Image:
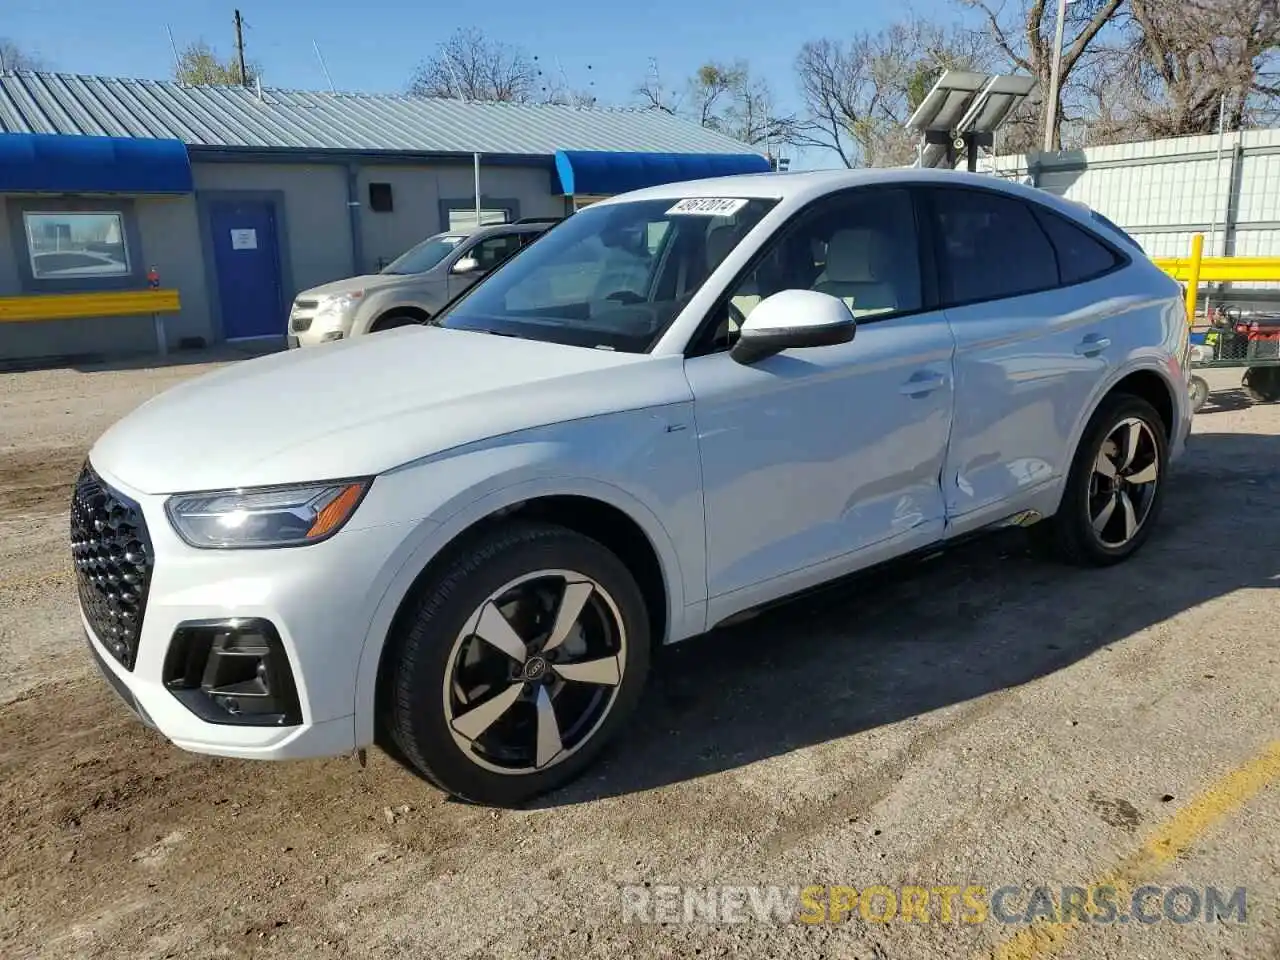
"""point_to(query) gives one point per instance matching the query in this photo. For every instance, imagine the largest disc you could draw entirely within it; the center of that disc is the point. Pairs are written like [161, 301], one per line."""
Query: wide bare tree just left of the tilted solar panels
[860, 94]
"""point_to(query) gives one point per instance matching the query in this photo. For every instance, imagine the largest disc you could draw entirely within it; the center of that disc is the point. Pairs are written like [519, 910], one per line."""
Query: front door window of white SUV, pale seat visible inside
[860, 248]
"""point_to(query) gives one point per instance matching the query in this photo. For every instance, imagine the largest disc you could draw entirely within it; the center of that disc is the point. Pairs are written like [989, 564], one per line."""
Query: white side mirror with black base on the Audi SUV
[793, 319]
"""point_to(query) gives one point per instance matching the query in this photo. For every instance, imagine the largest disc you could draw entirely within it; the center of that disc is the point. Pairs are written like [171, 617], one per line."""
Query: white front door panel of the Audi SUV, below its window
[797, 477]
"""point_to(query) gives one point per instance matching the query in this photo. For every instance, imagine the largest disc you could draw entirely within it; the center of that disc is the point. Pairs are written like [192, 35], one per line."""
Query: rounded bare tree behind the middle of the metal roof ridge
[470, 66]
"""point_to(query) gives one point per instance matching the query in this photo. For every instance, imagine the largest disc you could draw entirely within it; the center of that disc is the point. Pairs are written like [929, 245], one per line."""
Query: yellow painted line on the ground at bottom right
[1169, 842]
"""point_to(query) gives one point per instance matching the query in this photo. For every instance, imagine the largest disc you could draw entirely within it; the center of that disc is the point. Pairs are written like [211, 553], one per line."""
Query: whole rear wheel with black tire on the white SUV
[1071, 534]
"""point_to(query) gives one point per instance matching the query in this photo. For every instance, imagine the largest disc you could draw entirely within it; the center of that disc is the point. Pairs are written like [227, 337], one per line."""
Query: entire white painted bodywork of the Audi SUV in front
[749, 482]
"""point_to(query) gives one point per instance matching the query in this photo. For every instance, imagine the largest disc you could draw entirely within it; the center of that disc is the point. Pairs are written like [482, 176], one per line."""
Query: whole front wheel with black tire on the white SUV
[438, 659]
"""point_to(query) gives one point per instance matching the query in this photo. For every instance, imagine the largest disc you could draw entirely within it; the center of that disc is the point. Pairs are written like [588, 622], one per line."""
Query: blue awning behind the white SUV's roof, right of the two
[607, 173]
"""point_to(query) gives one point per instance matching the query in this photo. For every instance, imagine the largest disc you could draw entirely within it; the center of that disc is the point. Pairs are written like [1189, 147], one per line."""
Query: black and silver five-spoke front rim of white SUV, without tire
[536, 671]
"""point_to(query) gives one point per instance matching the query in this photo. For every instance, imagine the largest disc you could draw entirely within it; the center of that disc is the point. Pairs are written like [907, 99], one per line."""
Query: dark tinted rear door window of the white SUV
[990, 248]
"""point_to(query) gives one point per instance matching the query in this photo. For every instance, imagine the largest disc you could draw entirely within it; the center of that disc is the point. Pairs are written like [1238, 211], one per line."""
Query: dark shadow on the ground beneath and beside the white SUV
[915, 638]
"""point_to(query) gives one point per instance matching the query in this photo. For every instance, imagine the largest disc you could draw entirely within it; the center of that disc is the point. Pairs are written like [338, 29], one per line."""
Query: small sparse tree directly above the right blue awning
[724, 98]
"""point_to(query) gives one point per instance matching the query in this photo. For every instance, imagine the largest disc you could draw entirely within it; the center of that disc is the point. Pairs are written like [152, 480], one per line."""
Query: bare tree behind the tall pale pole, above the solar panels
[1025, 36]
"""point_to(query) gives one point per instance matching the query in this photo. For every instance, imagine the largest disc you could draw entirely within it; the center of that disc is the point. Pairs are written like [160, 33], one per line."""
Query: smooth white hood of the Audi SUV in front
[364, 406]
